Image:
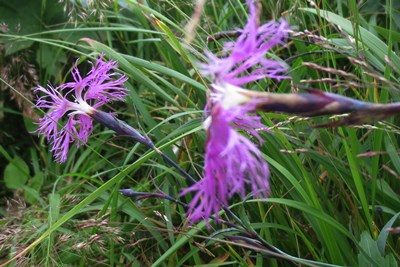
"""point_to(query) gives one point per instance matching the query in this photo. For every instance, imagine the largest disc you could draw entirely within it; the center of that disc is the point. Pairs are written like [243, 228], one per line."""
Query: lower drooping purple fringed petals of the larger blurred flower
[232, 161]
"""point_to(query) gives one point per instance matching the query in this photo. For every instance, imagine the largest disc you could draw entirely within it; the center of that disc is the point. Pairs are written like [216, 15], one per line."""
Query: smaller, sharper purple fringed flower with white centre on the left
[80, 100]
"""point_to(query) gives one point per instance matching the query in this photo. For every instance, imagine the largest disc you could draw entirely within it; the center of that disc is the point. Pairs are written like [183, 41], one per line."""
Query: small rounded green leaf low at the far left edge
[16, 173]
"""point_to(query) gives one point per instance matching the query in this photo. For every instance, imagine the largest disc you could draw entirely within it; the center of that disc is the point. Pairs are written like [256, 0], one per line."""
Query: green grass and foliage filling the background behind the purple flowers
[335, 191]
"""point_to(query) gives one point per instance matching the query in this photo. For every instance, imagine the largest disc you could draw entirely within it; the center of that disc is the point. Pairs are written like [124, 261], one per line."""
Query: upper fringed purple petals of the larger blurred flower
[247, 52]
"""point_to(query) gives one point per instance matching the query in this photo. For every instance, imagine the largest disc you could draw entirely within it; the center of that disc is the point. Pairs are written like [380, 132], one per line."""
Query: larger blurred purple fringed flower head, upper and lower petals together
[232, 161]
